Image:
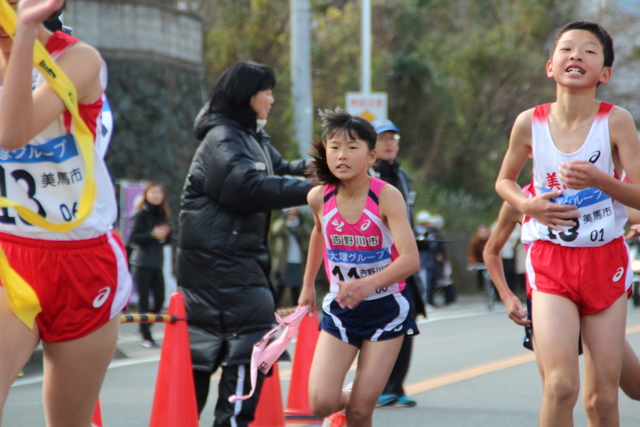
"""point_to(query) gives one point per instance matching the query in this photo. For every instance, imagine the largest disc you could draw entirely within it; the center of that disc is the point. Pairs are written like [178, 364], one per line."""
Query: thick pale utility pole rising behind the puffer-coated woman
[301, 73]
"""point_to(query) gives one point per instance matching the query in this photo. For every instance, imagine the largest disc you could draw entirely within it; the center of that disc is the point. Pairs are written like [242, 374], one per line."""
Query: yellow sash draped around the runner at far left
[22, 299]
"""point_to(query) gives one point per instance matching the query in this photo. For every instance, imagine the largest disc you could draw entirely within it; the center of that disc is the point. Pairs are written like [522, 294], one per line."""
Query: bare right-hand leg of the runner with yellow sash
[73, 375]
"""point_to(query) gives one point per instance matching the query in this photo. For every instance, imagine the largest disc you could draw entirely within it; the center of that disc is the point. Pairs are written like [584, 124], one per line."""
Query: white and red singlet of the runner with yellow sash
[47, 174]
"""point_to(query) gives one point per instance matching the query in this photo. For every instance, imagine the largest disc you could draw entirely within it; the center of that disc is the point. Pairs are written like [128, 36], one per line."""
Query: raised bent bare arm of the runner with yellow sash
[25, 113]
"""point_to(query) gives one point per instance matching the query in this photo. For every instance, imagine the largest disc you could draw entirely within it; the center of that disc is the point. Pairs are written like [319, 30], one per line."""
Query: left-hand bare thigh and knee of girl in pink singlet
[331, 362]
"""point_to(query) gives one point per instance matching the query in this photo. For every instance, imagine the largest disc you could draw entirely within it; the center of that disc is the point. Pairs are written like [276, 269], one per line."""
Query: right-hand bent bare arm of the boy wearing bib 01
[626, 153]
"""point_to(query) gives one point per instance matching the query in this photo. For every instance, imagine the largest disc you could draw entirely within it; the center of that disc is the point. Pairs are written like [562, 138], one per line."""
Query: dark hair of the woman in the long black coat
[232, 93]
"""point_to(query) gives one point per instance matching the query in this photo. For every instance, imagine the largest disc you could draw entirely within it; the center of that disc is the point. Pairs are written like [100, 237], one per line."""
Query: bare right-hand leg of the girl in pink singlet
[375, 363]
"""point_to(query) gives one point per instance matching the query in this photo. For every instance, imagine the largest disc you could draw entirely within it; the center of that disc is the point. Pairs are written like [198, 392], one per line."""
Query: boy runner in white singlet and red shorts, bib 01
[580, 148]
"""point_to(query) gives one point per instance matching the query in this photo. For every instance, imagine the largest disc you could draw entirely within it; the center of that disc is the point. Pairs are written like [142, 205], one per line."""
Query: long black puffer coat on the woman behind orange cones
[223, 260]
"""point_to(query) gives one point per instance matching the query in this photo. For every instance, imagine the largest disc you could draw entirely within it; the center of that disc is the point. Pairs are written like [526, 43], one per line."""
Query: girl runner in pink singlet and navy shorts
[362, 232]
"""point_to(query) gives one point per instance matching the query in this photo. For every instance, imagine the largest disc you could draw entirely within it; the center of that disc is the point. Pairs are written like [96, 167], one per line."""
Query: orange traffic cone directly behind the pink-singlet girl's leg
[298, 407]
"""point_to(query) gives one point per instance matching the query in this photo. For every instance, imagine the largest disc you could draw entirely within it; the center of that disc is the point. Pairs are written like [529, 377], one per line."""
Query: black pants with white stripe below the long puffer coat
[232, 377]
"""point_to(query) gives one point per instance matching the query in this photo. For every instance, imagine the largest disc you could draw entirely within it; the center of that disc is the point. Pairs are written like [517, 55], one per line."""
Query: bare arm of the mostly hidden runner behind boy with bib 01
[507, 220]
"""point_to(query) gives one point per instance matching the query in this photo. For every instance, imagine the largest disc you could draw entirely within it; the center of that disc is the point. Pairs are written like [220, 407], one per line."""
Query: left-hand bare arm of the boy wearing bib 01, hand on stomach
[539, 207]
